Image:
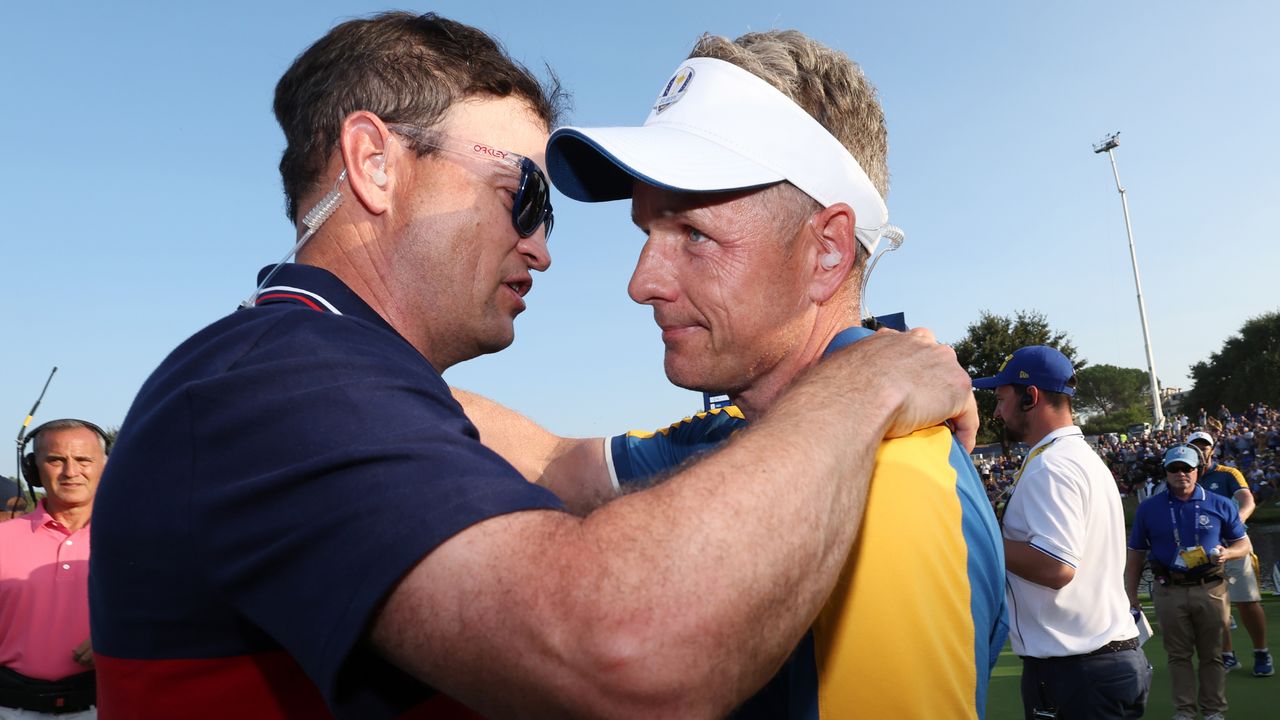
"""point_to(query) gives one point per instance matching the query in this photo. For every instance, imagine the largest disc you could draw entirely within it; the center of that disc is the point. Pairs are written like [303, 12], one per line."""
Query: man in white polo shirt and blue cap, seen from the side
[1064, 553]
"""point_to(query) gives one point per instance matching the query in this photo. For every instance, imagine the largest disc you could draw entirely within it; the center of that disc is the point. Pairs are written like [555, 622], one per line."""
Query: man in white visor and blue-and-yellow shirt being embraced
[758, 180]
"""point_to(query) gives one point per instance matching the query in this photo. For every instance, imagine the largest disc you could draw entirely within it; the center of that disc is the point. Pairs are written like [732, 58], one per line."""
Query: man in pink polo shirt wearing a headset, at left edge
[47, 663]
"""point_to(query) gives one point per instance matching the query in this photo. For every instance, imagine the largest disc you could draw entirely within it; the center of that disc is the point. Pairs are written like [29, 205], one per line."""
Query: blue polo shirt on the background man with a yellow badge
[1204, 520]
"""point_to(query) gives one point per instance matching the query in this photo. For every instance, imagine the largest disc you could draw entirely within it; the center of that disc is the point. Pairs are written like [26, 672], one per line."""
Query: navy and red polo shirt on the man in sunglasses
[275, 480]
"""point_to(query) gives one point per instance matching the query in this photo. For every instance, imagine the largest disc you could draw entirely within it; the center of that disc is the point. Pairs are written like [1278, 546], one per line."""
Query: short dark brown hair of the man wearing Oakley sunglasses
[405, 69]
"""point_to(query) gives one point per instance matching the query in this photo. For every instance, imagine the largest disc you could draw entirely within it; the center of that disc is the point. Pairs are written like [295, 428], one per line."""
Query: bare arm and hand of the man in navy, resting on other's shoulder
[678, 601]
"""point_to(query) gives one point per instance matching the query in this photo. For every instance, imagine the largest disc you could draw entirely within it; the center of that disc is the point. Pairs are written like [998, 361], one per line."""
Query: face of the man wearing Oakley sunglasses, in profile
[458, 268]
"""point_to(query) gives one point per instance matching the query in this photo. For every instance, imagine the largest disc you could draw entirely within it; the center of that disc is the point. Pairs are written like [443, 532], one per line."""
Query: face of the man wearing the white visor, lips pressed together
[726, 290]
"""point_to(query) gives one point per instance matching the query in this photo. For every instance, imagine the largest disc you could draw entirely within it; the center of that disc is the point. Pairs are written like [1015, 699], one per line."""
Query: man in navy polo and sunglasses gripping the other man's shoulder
[300, 521]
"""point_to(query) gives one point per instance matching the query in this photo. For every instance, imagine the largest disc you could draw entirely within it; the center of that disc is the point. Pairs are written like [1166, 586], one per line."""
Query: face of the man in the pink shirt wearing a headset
[70, 463]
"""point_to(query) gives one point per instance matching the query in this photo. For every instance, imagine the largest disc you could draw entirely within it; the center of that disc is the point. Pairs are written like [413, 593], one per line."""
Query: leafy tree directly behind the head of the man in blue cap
[991, 340]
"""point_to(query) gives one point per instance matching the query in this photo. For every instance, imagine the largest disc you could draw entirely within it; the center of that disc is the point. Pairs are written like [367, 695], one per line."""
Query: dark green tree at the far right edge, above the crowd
[1247, 368]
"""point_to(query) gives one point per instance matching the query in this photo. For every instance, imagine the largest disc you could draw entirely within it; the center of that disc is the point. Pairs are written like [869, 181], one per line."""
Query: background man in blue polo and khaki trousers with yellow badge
[1191, 535]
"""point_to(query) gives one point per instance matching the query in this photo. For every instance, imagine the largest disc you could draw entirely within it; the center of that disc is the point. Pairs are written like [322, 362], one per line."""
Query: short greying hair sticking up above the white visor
[825, 83]
